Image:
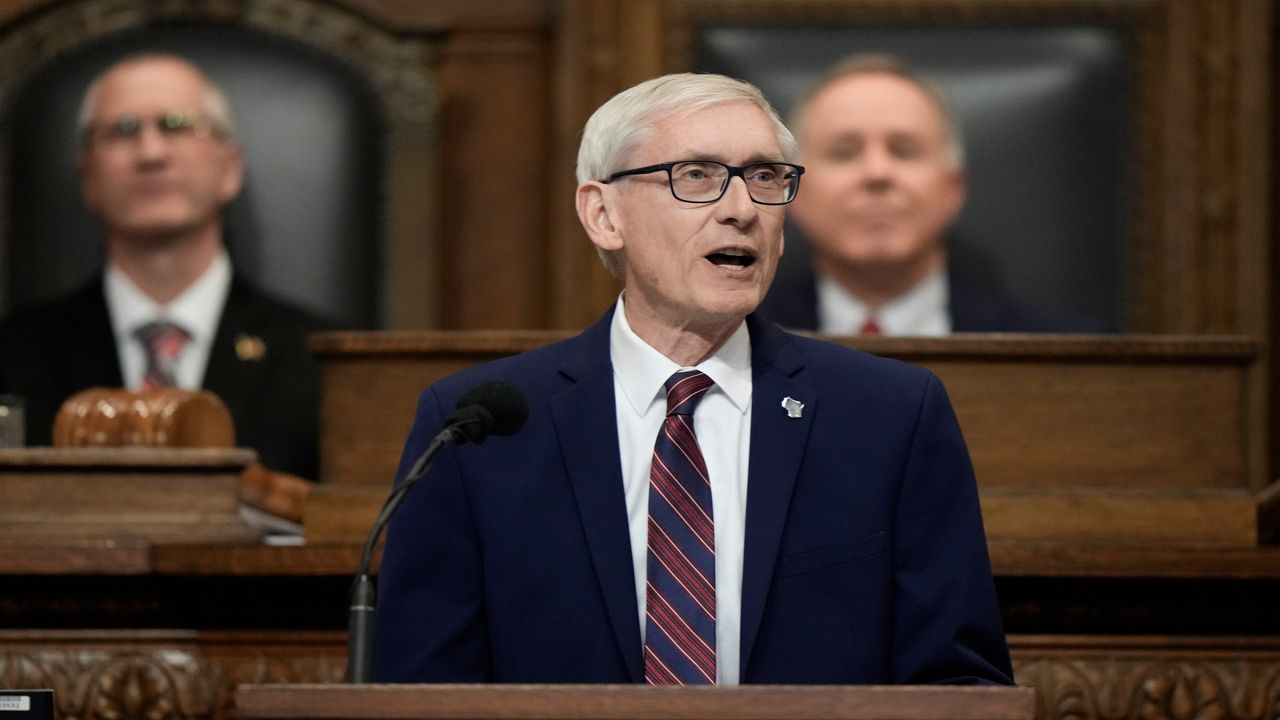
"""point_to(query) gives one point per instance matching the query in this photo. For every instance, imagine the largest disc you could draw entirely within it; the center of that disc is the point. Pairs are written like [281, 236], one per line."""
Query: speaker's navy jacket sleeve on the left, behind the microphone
[431, 623]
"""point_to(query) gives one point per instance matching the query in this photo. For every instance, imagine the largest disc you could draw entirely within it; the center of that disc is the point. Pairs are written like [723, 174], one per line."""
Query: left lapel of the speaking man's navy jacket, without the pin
[587, 425]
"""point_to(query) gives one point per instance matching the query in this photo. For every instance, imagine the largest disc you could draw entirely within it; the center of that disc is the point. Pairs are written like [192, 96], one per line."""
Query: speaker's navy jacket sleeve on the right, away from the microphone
[947, 619]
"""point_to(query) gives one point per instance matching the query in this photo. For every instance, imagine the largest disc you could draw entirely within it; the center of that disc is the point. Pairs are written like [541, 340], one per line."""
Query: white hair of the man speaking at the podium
[630, 119]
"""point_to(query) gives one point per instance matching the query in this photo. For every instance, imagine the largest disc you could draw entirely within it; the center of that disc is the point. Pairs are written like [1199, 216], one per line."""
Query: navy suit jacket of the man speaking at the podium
[865, 560]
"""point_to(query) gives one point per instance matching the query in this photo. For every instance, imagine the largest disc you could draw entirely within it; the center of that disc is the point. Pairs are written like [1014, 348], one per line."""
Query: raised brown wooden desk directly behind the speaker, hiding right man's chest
[1092, 440]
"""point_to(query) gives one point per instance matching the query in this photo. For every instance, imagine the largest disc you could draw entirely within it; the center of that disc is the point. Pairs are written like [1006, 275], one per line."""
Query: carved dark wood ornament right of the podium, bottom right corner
[1204, 689]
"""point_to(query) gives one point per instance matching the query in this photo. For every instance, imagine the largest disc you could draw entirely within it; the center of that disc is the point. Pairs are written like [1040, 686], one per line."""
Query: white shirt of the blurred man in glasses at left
[198, 311]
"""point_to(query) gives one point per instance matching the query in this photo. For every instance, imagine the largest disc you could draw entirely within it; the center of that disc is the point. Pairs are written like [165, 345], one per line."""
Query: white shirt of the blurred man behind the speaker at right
[921, 312]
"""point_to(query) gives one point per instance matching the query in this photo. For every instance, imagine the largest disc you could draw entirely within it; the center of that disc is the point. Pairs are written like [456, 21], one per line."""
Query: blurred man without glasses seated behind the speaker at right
[885, 183]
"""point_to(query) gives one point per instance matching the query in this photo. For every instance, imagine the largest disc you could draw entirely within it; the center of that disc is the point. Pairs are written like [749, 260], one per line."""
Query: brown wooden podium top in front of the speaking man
[634, 703]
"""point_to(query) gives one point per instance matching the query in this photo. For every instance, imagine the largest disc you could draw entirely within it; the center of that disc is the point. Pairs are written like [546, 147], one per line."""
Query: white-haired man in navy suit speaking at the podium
[844, 512]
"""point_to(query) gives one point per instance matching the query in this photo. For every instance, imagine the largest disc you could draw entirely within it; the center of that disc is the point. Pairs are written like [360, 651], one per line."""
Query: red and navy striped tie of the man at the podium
[680, 608]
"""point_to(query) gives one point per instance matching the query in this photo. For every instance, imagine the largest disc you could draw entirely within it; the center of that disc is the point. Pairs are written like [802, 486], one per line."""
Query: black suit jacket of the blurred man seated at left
[61, 348]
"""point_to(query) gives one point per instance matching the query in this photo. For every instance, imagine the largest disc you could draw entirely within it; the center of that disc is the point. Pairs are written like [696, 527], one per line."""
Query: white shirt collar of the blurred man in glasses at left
[198, 309]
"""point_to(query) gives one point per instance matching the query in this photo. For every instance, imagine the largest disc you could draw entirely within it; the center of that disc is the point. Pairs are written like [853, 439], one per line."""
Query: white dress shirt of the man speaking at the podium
[723, 423]
